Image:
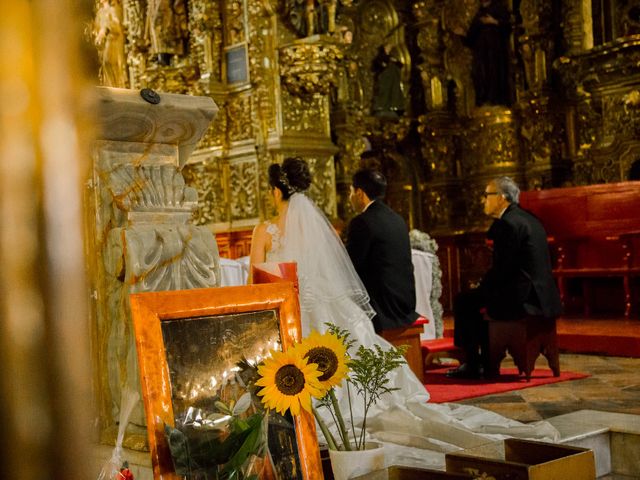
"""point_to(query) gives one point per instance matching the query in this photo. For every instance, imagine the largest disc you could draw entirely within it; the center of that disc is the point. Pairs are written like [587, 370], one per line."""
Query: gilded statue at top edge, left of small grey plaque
[166, 29]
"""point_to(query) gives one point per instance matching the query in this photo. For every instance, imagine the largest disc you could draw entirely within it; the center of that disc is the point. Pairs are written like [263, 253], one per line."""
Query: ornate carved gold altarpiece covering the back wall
[296, 78]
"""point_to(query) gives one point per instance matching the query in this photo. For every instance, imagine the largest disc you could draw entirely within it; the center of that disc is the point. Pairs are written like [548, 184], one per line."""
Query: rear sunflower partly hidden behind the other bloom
[329, 353]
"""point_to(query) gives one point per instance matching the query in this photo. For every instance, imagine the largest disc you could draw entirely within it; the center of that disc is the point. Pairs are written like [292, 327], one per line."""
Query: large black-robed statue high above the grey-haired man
[488, 39]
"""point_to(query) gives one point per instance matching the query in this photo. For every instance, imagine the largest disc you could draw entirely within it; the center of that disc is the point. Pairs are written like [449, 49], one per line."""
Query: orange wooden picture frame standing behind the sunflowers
[235, 309]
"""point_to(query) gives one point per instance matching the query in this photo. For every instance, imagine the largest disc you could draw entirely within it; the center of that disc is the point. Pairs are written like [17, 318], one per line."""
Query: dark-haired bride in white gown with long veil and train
[331, 291]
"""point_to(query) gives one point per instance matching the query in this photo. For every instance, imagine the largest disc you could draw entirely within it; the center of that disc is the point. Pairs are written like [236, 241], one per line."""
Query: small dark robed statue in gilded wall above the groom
[388, 96]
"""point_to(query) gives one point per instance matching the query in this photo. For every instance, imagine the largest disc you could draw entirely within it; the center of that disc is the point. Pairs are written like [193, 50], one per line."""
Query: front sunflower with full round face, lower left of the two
[288, 382]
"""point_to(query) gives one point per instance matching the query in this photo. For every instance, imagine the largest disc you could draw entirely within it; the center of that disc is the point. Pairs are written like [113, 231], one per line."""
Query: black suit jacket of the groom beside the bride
[378, 244]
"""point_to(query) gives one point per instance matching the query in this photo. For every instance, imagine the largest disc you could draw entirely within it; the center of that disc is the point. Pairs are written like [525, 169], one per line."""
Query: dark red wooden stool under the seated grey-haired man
[525, 339]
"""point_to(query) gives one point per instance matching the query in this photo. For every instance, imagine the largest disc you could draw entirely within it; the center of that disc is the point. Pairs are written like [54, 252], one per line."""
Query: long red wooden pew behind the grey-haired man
[594, 232]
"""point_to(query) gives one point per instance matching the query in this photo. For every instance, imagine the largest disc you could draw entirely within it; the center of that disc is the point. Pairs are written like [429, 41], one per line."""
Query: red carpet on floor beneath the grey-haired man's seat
[443, 389]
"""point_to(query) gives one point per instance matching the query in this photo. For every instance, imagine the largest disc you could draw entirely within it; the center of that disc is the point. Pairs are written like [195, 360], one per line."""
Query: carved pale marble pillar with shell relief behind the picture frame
[141, 238]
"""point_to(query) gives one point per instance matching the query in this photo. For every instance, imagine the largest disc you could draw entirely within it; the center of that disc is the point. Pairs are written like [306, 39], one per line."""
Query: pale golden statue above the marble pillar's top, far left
[109, 39]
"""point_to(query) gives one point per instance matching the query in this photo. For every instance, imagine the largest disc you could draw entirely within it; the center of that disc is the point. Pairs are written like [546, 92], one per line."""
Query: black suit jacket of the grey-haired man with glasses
[520, 280]
